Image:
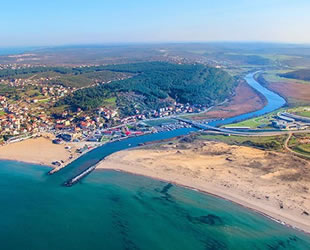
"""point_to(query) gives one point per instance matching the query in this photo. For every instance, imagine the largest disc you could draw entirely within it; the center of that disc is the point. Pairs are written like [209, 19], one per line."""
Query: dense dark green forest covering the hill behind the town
[156, 84]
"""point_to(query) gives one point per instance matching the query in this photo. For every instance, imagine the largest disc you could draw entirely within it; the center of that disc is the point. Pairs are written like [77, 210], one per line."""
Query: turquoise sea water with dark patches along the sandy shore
[112, 210]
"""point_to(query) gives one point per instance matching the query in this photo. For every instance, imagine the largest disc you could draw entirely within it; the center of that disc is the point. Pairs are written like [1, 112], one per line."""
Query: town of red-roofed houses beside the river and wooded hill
[27, 110]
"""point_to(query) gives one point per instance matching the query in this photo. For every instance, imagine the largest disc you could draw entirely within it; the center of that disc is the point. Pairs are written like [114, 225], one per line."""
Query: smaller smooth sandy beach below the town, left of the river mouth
[38, 151]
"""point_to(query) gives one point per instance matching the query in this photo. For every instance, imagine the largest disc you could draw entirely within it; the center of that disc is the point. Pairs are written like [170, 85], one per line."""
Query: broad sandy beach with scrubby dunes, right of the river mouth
[274, 184]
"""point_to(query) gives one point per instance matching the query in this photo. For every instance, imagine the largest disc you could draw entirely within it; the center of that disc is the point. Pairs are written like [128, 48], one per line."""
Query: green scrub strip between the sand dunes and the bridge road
[261, 142]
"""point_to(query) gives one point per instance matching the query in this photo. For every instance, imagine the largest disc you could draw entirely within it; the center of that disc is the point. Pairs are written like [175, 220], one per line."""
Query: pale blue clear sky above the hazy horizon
[66, 22]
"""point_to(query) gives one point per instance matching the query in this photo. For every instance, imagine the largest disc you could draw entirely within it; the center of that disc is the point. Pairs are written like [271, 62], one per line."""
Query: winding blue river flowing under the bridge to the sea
[68, 175]
